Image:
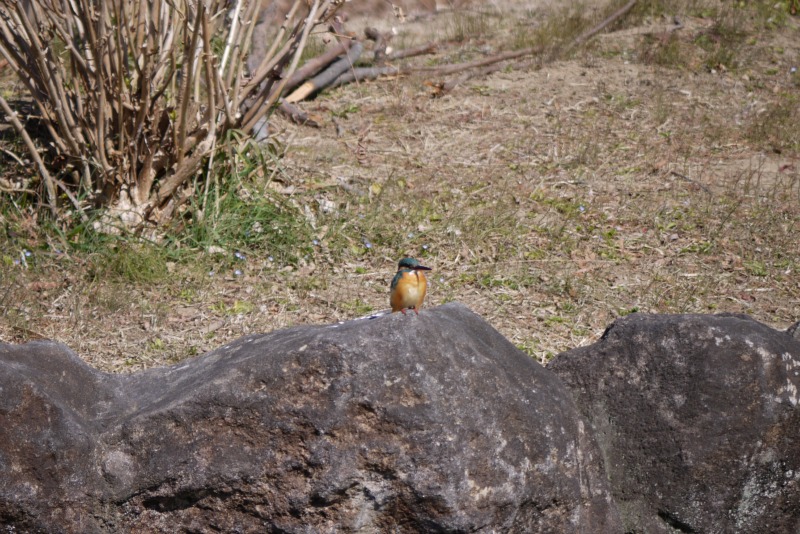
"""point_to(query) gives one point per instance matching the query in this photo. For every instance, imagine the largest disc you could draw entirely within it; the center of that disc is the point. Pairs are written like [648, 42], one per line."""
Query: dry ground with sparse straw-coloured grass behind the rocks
[550, 197]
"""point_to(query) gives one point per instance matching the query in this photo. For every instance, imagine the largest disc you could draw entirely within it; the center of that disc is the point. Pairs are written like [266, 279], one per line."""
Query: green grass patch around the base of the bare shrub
[235, 212]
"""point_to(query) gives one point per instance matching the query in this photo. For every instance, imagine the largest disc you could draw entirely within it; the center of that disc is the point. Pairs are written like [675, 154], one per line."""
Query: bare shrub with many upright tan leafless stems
[132, 96]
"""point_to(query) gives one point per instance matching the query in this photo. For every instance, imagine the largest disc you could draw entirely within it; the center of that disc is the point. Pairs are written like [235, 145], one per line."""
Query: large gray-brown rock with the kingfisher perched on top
[429, 423]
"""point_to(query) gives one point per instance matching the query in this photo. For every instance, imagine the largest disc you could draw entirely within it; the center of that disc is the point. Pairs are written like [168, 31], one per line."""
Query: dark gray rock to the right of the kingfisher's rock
[698, 421]
